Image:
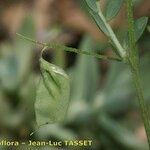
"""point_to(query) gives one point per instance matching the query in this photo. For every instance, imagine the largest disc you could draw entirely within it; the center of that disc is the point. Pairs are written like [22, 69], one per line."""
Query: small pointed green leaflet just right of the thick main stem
[140, 25]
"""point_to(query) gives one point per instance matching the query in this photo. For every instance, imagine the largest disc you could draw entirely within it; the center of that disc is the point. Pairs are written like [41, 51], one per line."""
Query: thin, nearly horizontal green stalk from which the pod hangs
[70, 49]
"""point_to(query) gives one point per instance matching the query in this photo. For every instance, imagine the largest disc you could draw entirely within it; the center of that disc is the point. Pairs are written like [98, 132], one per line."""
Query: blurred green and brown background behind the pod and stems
[103, 106]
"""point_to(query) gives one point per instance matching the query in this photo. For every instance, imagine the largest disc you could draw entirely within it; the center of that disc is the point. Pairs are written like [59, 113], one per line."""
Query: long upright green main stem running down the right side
[134, 67]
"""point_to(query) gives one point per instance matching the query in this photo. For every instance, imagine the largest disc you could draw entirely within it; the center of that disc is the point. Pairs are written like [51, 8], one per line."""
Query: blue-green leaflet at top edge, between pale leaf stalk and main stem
[112, 8]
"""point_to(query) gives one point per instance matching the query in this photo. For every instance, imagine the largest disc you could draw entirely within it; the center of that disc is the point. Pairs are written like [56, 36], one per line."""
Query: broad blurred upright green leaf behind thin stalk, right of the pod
[87, 68]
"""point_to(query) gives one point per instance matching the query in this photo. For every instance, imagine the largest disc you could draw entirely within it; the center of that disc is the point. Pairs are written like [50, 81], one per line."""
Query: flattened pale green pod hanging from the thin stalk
[52, 97]
